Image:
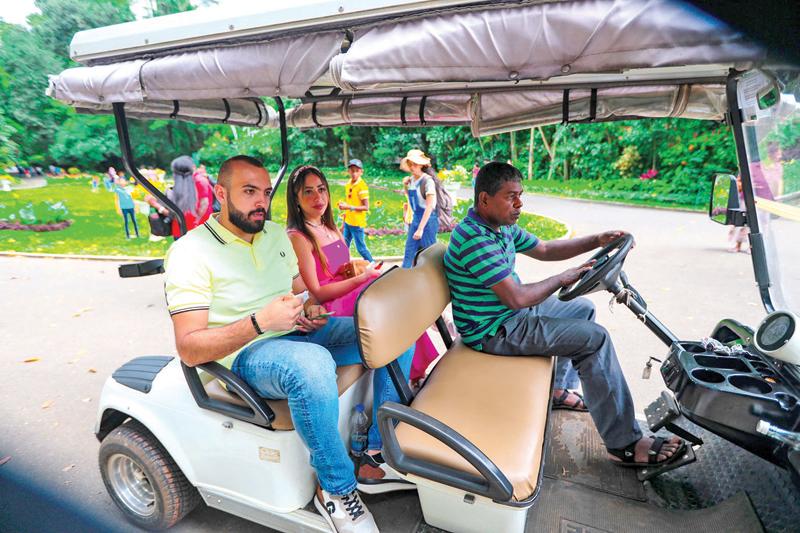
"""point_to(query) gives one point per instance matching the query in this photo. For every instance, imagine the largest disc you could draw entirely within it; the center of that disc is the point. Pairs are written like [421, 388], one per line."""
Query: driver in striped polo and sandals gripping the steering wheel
[497, 314]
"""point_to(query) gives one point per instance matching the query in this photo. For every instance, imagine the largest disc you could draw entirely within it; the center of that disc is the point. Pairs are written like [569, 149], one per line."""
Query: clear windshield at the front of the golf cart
[773, 153]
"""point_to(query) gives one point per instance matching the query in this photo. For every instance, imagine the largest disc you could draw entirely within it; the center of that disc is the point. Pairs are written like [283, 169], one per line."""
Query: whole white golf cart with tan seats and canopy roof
[172, 435]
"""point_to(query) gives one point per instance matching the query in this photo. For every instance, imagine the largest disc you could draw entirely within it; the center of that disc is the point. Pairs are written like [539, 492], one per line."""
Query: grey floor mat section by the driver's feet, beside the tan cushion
[576, 453]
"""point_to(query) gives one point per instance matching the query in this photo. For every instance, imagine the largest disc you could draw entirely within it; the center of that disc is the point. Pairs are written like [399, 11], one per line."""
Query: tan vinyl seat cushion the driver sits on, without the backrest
[498, 403]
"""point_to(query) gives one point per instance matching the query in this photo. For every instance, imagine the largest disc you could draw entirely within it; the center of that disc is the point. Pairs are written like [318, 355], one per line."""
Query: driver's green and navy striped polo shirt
[477, 258]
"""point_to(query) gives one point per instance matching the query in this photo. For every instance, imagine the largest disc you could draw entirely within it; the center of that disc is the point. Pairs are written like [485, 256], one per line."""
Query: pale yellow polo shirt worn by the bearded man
[212, 269]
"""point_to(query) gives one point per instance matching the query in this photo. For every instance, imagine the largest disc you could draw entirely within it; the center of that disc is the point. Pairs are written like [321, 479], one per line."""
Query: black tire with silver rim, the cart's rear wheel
[143, 480]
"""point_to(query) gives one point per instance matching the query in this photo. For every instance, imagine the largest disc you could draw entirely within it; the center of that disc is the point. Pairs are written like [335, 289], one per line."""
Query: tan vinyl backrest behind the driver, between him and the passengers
[398, 307]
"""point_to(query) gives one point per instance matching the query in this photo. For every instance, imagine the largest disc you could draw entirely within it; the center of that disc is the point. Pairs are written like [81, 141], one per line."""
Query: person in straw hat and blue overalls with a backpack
[421, 192]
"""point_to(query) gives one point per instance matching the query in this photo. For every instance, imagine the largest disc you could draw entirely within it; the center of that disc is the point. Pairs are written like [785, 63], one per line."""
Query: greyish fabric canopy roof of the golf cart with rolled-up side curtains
[494, 66]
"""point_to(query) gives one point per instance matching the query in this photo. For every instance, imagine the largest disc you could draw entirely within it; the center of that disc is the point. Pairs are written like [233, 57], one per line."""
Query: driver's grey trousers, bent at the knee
[567, 330]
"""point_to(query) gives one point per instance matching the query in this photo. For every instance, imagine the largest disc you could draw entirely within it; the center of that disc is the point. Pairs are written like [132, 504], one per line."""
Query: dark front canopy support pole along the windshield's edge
[757, 248]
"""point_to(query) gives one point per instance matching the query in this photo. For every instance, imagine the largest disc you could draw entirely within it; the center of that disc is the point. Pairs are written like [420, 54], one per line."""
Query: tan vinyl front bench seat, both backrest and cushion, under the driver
[499, 404]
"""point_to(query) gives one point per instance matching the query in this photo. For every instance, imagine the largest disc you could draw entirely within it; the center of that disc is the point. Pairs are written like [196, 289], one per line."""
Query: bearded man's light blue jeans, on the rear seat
[302, 369]
